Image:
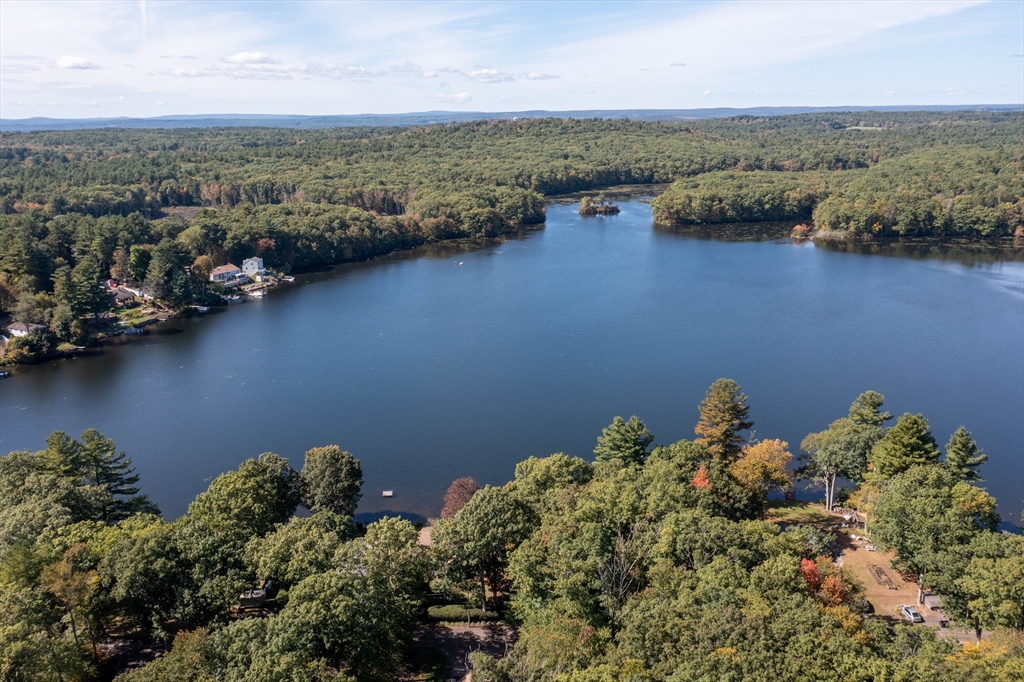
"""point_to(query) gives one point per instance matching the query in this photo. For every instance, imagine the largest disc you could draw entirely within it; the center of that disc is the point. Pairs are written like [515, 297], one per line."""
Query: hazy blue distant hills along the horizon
[426, 118]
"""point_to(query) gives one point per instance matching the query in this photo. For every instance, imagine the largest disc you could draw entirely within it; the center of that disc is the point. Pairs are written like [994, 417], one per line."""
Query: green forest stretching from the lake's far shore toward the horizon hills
[302, 200]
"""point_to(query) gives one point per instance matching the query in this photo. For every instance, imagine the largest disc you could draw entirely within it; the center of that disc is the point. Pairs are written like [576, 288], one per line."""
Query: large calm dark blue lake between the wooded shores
[453, 362]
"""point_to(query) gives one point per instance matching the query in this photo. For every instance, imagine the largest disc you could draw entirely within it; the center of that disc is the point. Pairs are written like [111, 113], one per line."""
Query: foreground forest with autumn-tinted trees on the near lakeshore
[648, 563]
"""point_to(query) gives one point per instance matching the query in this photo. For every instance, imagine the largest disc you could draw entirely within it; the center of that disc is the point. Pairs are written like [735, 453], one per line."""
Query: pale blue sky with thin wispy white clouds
[147, 58]
